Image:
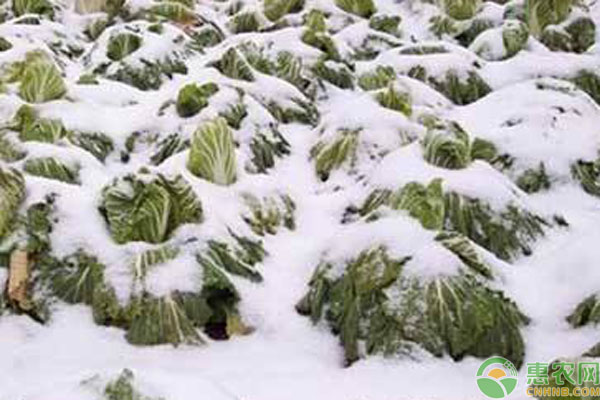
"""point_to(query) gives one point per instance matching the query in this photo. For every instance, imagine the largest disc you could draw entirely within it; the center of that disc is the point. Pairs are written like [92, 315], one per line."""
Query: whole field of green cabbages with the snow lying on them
[144, 149]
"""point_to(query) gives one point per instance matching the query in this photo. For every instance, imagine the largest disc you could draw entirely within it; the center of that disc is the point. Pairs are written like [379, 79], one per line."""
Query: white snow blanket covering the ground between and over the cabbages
[286, 356]
